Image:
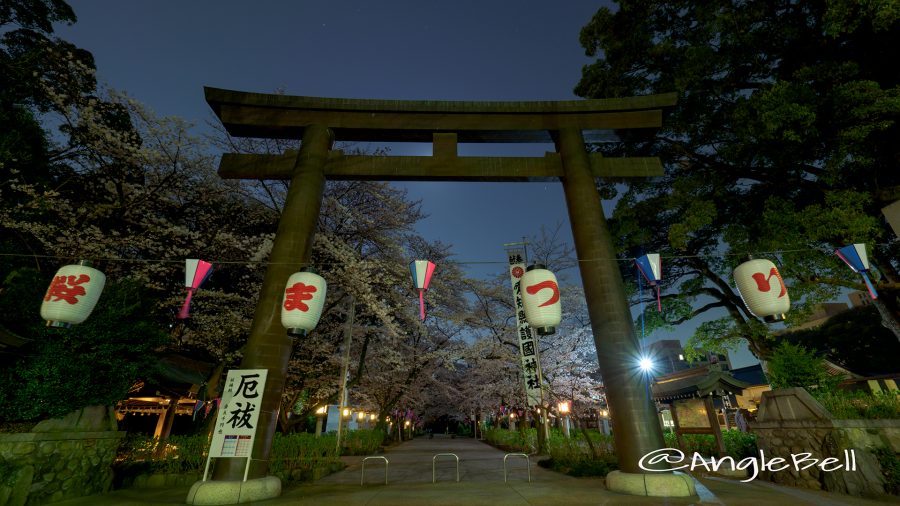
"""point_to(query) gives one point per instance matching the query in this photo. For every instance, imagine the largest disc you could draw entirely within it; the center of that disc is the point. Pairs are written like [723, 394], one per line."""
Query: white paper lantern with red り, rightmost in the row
[762, 288]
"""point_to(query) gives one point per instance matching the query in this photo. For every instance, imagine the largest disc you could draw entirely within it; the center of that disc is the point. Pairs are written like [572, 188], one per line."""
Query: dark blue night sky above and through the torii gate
[163, 53]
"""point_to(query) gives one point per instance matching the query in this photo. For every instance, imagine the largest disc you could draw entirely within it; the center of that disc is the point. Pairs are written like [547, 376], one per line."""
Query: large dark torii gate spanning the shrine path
[318, 122]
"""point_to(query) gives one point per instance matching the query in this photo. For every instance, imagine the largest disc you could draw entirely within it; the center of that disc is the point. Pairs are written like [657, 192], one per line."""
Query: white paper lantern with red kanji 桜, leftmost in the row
[72, 295]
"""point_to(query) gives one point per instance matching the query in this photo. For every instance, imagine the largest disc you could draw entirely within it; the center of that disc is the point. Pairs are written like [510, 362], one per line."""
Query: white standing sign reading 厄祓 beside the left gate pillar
[237, 415]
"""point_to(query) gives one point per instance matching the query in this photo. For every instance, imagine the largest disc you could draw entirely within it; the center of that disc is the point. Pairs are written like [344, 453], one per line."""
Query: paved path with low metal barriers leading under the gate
[481, 483]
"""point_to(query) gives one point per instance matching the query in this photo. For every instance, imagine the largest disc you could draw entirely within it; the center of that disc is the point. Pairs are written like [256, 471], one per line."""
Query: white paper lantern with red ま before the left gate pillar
[304, 297]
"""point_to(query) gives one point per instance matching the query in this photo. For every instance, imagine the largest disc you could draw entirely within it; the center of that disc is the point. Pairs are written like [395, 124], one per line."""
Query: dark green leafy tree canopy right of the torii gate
[783, 144]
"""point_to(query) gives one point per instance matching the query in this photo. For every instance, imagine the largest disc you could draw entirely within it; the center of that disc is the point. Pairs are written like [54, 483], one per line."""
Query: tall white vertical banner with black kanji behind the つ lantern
[528, 346]
